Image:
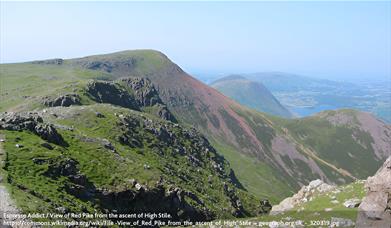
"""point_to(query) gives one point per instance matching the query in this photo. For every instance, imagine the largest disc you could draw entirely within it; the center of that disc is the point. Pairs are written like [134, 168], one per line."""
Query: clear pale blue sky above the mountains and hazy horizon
[336, 40]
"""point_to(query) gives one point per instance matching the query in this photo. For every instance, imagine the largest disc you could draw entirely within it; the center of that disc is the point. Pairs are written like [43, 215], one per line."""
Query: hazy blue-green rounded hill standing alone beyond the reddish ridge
[250, 93]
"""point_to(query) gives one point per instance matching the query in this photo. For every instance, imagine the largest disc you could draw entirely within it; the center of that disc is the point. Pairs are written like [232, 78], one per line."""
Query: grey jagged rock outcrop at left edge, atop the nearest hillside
[31, 122]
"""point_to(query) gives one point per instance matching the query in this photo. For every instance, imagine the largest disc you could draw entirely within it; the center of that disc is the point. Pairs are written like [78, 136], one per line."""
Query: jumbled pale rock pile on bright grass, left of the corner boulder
[305, 194]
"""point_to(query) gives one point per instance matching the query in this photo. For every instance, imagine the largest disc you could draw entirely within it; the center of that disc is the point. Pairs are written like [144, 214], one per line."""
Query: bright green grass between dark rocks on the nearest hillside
[35, 191]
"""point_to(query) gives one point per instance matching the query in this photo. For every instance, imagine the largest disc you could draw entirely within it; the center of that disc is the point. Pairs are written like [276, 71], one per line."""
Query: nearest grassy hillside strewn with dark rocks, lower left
[98, 171]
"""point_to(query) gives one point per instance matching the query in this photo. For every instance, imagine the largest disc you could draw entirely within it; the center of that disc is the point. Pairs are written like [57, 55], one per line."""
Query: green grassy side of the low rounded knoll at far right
[336, 145]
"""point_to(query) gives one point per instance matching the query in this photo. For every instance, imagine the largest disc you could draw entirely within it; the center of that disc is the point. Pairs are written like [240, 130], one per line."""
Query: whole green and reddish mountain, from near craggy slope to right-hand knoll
[92, 132]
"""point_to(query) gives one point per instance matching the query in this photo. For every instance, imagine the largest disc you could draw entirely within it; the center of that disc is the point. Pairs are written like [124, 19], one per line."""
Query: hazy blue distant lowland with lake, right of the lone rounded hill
[306, 96]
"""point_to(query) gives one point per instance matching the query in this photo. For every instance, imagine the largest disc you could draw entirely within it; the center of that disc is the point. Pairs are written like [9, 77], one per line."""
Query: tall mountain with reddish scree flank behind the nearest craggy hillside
[259, 147]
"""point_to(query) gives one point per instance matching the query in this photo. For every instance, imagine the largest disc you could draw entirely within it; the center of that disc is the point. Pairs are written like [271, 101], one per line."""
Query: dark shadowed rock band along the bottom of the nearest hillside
[136, 199]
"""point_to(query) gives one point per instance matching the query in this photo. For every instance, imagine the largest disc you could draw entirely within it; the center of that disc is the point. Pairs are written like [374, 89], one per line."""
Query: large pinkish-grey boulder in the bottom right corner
[375, 209]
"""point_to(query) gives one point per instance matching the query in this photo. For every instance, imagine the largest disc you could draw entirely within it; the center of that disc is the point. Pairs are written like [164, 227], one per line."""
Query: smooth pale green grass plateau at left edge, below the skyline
[23, 85]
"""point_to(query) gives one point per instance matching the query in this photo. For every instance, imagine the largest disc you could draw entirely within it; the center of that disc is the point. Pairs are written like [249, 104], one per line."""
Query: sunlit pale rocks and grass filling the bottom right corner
[362, 204]
